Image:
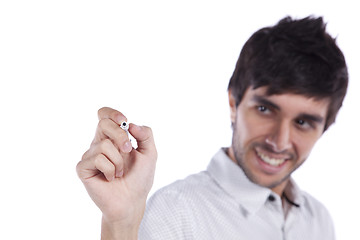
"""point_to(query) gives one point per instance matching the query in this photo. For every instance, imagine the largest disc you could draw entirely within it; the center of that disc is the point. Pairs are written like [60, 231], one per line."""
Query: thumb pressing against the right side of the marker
[144, 138]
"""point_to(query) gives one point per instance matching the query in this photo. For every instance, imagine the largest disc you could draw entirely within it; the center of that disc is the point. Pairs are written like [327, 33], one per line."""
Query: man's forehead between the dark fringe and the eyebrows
[288, 101]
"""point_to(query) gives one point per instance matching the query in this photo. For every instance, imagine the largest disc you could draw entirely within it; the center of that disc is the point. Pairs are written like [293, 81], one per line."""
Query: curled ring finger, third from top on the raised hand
[107, 148]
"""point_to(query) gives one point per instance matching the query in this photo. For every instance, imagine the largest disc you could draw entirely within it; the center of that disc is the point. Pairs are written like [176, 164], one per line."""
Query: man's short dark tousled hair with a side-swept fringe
[294, 56]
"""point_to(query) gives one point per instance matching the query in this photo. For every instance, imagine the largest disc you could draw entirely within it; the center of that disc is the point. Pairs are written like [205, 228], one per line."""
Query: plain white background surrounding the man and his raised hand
[165, 64]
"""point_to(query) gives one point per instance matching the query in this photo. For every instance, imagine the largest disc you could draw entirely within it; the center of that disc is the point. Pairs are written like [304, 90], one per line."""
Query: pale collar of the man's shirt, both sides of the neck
[233, 180]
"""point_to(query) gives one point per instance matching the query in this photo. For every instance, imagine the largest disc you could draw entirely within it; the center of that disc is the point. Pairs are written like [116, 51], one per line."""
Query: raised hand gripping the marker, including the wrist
[118, 177]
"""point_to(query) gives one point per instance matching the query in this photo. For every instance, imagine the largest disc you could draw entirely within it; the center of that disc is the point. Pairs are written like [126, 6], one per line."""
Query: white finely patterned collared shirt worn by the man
[221, 203]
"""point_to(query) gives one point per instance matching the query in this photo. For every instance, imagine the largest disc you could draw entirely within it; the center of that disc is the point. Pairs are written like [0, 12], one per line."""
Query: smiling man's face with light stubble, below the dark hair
[274, 134]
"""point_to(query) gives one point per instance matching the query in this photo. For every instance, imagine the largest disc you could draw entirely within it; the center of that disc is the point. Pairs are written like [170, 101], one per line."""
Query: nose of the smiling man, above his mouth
[280, 139]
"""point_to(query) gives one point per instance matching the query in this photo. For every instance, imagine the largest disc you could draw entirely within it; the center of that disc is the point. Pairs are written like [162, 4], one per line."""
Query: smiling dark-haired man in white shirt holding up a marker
[287, 87]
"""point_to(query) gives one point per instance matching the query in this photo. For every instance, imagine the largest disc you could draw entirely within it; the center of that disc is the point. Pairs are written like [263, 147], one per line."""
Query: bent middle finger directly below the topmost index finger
[108, 129]
